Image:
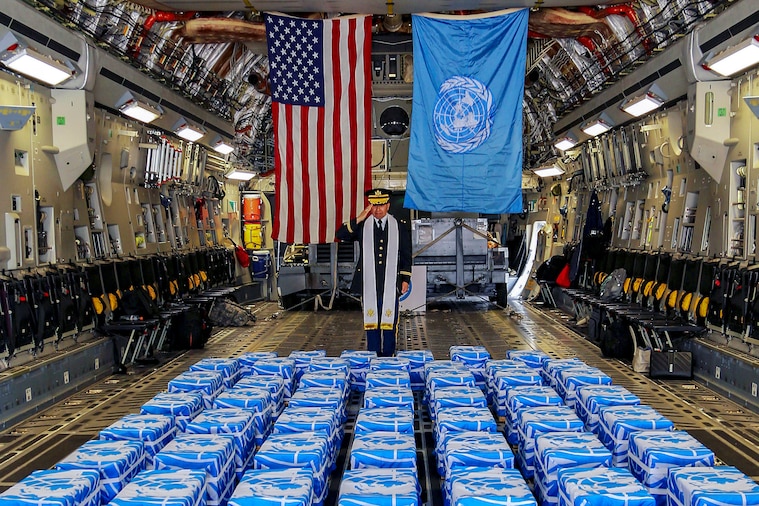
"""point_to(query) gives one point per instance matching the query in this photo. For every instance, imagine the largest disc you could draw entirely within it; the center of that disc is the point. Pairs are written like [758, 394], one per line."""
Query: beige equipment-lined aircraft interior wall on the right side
[657, 195]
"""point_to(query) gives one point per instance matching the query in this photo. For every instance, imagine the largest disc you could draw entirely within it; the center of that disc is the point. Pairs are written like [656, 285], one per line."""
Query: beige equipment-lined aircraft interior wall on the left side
[112, 209]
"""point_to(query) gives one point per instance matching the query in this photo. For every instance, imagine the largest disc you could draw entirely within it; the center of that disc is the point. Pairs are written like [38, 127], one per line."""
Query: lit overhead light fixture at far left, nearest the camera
[18, 56]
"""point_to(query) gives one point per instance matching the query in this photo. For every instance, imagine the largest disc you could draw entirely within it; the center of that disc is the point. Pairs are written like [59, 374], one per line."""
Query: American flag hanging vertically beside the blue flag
[321, 107]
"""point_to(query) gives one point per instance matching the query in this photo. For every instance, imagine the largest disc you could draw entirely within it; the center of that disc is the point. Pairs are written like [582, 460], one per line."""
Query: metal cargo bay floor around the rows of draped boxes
[40, 441]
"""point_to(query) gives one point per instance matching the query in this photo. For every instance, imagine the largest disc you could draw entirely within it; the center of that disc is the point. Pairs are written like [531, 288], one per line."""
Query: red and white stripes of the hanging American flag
[322, 154]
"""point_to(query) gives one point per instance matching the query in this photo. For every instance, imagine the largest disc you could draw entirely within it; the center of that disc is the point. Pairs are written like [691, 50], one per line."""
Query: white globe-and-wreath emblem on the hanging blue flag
[463, 114]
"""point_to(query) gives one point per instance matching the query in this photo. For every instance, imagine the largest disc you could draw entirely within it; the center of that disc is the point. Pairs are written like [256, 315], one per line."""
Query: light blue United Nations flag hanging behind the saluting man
[466, 137]
